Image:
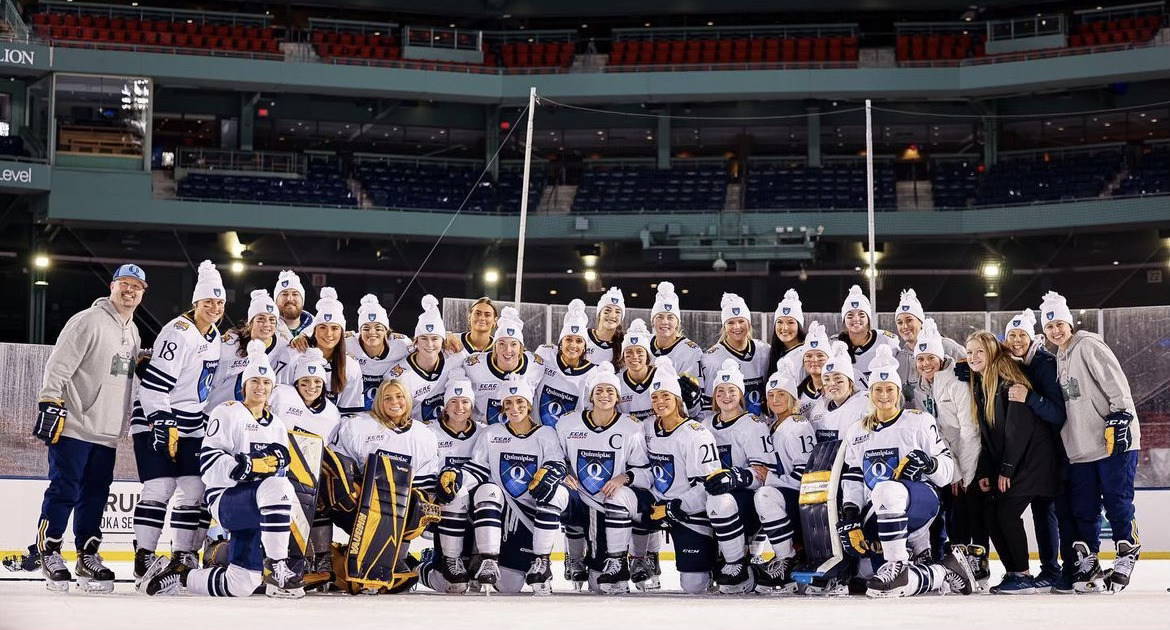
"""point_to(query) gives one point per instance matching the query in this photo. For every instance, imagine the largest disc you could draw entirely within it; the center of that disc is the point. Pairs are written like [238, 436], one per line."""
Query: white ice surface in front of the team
[27, 606]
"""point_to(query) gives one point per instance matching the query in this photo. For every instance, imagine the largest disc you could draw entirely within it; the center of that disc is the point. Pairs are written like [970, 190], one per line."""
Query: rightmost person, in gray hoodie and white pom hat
[1102, 439]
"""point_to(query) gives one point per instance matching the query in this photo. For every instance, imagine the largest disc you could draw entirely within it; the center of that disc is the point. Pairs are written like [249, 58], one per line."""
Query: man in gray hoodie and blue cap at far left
[82, 410]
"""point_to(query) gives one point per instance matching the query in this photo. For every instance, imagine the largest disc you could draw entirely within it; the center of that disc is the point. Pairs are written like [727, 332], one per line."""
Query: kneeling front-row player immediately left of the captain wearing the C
[514, 480]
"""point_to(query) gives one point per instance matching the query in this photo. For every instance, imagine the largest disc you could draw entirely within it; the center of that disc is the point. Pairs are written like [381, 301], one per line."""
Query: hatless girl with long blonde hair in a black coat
[1018, 462]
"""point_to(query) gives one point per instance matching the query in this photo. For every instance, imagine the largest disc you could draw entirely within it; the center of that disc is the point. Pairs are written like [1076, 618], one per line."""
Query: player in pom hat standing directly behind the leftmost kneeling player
[228, 385]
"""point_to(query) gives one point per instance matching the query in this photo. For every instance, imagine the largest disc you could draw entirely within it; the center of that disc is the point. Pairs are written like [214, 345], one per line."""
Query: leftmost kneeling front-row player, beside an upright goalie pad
[244, 458]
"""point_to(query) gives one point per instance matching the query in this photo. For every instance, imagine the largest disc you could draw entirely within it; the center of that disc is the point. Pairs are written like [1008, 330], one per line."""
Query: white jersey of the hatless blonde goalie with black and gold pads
[362, 436]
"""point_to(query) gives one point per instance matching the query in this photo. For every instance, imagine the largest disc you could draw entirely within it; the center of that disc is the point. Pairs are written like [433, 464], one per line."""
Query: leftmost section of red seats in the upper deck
[237, 39]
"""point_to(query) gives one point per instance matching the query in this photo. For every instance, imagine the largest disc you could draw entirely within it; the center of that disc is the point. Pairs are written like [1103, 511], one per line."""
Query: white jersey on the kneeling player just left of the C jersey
[510, 460]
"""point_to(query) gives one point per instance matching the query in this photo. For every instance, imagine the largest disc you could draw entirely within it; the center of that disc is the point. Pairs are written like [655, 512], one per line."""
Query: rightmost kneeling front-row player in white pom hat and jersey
[894, 464]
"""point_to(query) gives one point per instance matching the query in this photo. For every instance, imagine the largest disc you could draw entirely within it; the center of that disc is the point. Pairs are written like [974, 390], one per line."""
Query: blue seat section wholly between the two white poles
[646, 189]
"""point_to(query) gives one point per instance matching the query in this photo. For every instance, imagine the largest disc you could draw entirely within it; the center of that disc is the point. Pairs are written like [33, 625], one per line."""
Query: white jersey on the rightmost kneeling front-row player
[875, 456]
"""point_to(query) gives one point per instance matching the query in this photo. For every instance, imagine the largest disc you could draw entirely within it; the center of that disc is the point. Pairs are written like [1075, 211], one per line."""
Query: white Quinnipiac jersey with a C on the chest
[598, 455]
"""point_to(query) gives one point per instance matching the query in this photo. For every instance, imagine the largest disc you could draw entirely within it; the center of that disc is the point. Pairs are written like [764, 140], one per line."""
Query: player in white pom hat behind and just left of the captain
[566, 367]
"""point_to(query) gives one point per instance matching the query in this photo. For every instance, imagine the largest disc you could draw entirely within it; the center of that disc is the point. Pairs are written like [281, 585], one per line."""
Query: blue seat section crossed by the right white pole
[836, 187]
